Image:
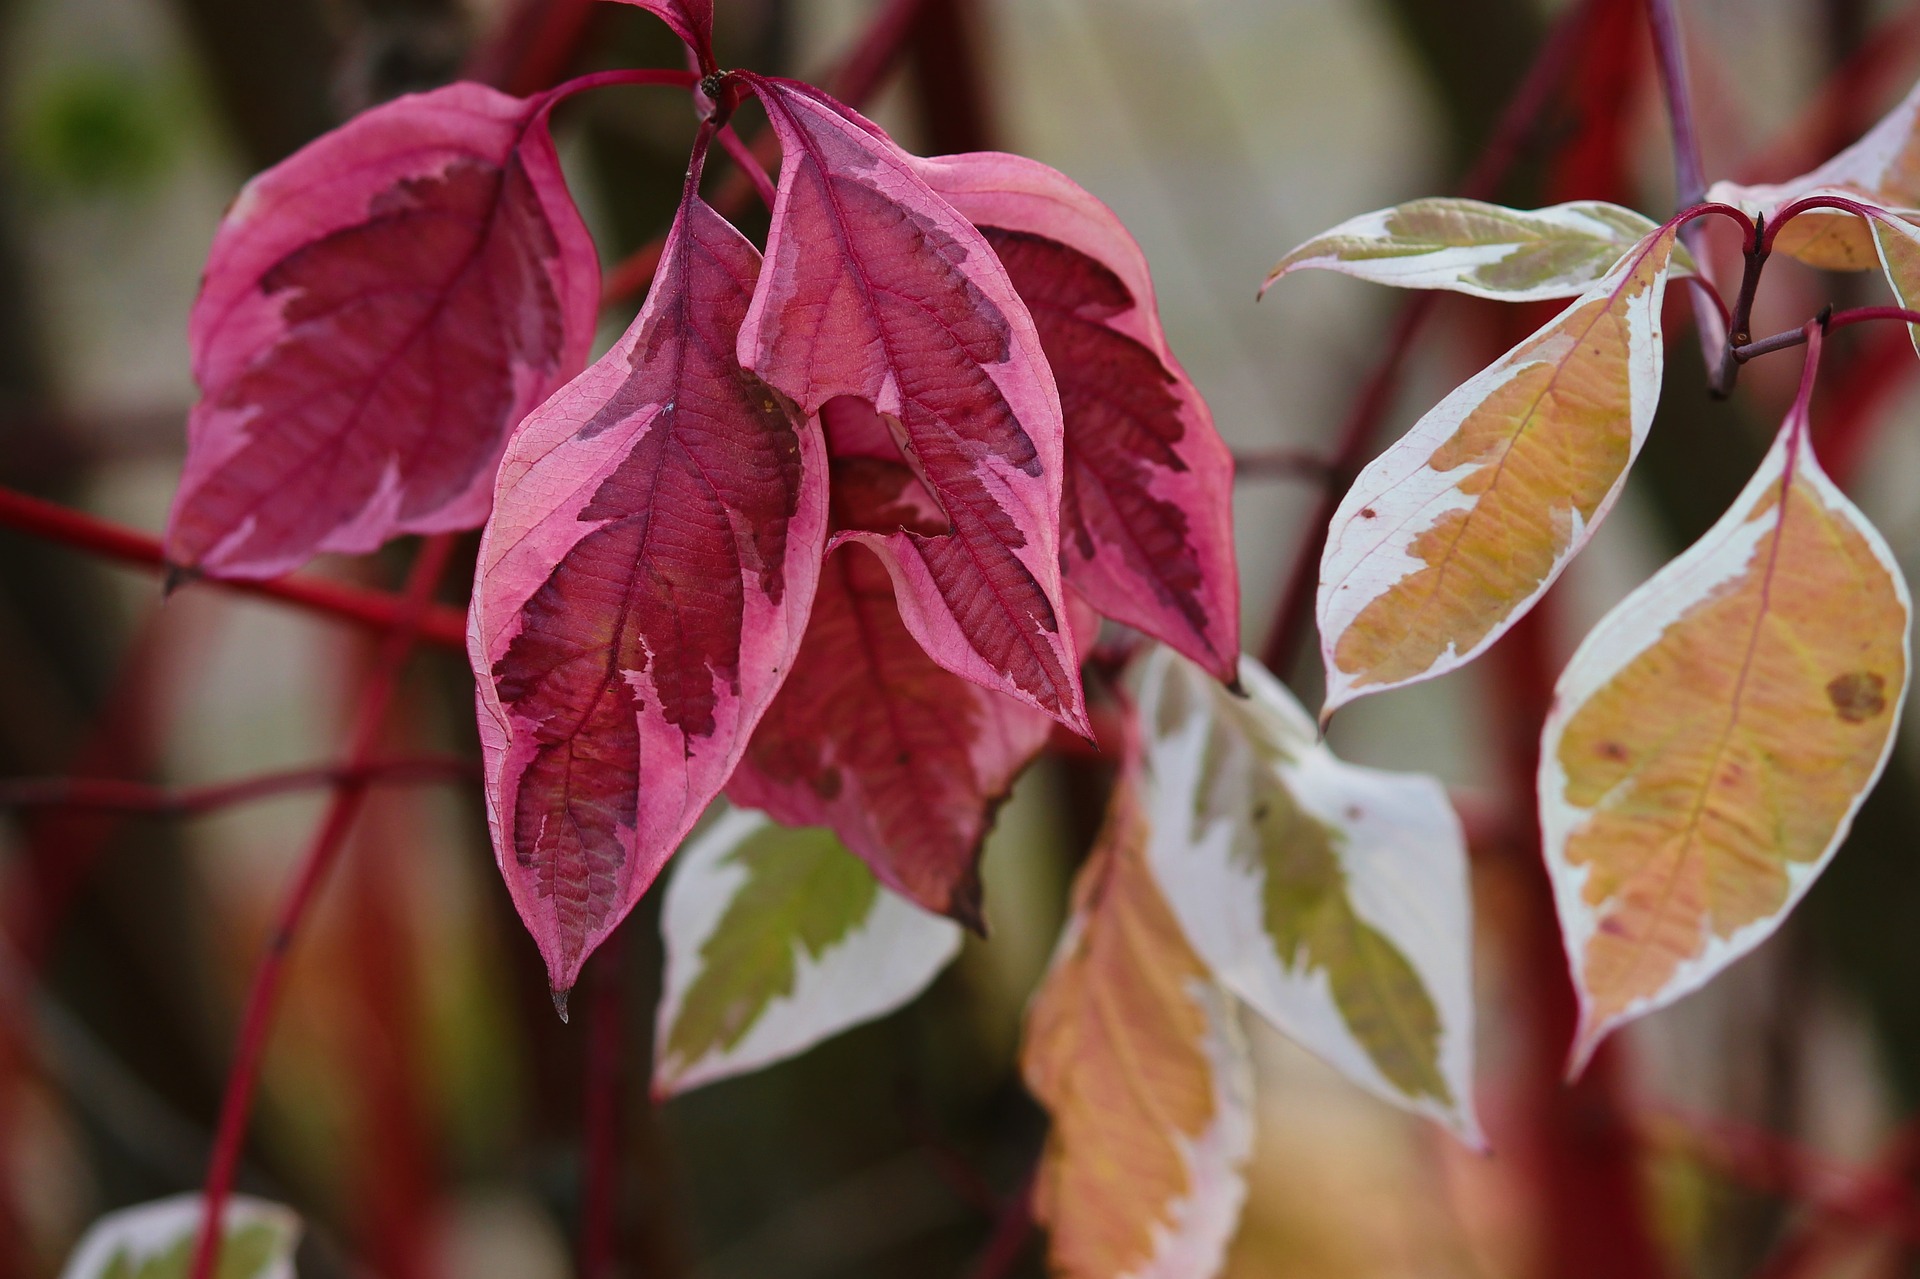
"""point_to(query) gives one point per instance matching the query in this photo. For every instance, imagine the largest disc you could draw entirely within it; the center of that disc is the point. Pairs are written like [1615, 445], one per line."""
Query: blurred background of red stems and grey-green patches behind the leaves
[423, 1107]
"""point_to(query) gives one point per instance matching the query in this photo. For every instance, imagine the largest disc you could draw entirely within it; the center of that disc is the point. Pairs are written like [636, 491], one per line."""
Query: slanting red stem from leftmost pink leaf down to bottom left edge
[320, 859]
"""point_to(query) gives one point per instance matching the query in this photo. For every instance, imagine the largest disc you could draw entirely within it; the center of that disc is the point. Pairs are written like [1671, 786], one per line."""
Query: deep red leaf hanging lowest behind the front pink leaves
[903, 760]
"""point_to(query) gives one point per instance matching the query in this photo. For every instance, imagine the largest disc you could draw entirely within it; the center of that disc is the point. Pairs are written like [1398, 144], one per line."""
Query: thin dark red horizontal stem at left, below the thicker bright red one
[118, 796]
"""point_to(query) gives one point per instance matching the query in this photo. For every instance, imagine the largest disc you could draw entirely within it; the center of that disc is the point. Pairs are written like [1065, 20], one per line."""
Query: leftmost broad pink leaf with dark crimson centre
[379, 310]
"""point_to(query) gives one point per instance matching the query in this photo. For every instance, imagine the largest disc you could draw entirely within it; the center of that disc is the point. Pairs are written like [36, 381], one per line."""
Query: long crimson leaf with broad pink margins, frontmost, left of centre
[642, 594]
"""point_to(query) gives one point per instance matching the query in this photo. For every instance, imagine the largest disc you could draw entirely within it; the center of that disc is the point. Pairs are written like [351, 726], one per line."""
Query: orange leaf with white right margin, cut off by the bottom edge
[1138, 1057]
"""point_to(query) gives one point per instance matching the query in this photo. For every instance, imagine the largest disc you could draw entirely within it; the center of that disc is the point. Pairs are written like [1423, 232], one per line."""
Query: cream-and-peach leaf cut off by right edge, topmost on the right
[1883, 170]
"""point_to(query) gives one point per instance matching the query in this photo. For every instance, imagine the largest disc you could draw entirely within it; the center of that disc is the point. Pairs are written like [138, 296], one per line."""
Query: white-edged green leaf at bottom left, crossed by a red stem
[156, 1242]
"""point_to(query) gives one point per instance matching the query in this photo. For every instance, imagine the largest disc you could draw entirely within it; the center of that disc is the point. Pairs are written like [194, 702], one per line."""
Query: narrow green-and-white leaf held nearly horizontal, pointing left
[1479, 249]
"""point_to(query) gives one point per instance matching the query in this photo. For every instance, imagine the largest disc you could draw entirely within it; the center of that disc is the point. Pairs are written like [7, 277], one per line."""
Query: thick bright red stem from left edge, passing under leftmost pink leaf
[130, 546]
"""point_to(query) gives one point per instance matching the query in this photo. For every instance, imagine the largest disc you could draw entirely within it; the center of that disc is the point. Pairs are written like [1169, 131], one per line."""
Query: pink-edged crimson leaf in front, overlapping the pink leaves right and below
[880, 291]
